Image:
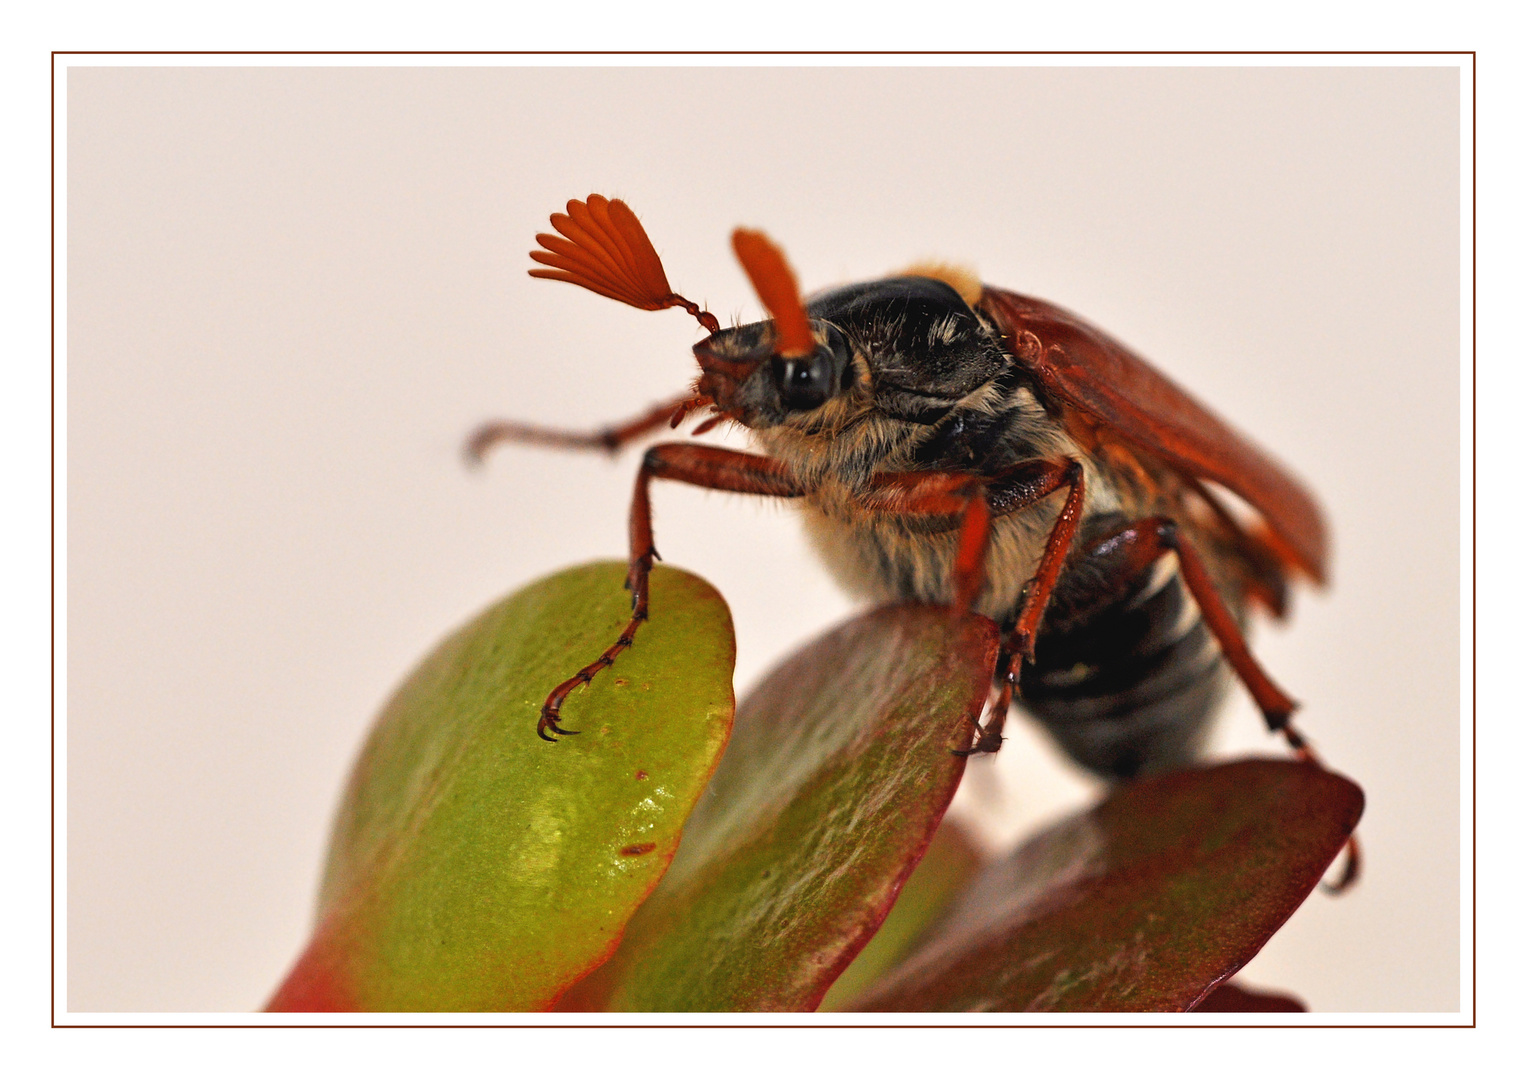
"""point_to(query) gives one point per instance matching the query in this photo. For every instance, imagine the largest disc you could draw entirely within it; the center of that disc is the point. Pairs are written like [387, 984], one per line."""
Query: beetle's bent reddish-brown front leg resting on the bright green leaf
[705, 467]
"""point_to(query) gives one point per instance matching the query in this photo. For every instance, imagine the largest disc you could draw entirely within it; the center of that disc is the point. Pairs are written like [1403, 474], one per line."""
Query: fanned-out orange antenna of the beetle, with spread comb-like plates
[605, 250]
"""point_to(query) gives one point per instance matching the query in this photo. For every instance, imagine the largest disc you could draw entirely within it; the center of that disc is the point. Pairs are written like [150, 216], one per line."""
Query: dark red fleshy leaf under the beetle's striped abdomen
[1144, 904]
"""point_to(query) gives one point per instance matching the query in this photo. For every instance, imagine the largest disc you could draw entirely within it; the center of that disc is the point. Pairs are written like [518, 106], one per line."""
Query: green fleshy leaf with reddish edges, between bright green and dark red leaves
[841, 769]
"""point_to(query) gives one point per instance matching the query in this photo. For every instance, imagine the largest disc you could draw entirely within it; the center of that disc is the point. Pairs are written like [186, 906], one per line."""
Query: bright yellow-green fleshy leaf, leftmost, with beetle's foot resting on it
[476, 867]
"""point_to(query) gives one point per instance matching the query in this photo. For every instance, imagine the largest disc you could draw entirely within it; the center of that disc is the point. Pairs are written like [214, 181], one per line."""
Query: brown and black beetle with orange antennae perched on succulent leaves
[957, 444]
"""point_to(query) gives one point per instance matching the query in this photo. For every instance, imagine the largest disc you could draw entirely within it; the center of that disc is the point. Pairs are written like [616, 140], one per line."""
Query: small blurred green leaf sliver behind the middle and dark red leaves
[951, 864]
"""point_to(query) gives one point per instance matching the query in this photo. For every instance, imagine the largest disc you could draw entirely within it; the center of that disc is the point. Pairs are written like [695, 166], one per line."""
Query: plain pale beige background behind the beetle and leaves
[292, 293]
